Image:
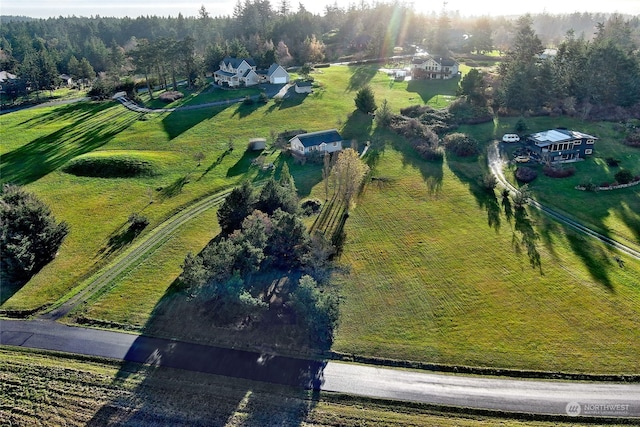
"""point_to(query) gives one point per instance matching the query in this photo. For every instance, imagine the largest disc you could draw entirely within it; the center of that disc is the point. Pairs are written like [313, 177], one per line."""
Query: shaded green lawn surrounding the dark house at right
[614, 213]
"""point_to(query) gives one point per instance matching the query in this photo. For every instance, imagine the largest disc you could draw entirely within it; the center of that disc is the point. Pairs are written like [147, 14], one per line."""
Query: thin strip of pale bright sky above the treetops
[134, 8]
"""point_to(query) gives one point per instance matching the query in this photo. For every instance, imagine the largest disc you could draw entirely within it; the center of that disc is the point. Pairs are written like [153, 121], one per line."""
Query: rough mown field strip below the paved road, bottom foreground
[48, 389]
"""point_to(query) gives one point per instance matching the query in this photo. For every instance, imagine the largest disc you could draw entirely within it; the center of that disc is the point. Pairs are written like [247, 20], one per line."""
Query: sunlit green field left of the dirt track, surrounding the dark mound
[40, 141]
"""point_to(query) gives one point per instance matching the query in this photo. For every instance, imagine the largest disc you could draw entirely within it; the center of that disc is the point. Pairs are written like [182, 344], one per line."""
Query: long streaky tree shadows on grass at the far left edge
[45, 154]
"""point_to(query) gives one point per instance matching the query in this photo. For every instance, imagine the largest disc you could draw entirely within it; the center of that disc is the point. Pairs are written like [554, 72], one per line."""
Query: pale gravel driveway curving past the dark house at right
[496, 165]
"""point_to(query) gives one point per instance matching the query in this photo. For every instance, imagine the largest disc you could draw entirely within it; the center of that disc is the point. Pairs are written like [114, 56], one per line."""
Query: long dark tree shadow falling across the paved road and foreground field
[180, 381]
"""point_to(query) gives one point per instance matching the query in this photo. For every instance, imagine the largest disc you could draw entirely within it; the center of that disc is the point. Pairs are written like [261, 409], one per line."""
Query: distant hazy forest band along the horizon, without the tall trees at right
[83, 47]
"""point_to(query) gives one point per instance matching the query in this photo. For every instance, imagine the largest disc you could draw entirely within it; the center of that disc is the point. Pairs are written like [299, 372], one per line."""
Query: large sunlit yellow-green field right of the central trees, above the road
[434, 278]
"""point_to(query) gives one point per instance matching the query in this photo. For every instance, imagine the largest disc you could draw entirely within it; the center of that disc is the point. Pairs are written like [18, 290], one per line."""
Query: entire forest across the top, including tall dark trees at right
[597, 59]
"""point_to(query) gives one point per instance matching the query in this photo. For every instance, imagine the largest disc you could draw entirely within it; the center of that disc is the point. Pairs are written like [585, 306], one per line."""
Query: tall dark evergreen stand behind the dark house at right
[584, 77]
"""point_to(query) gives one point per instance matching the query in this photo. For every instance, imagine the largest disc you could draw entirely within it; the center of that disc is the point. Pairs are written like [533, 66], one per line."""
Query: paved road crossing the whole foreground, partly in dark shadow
[491, 393]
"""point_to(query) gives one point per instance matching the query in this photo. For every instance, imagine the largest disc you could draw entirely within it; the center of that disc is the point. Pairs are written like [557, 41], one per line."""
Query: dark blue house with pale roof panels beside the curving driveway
[561, 145]
